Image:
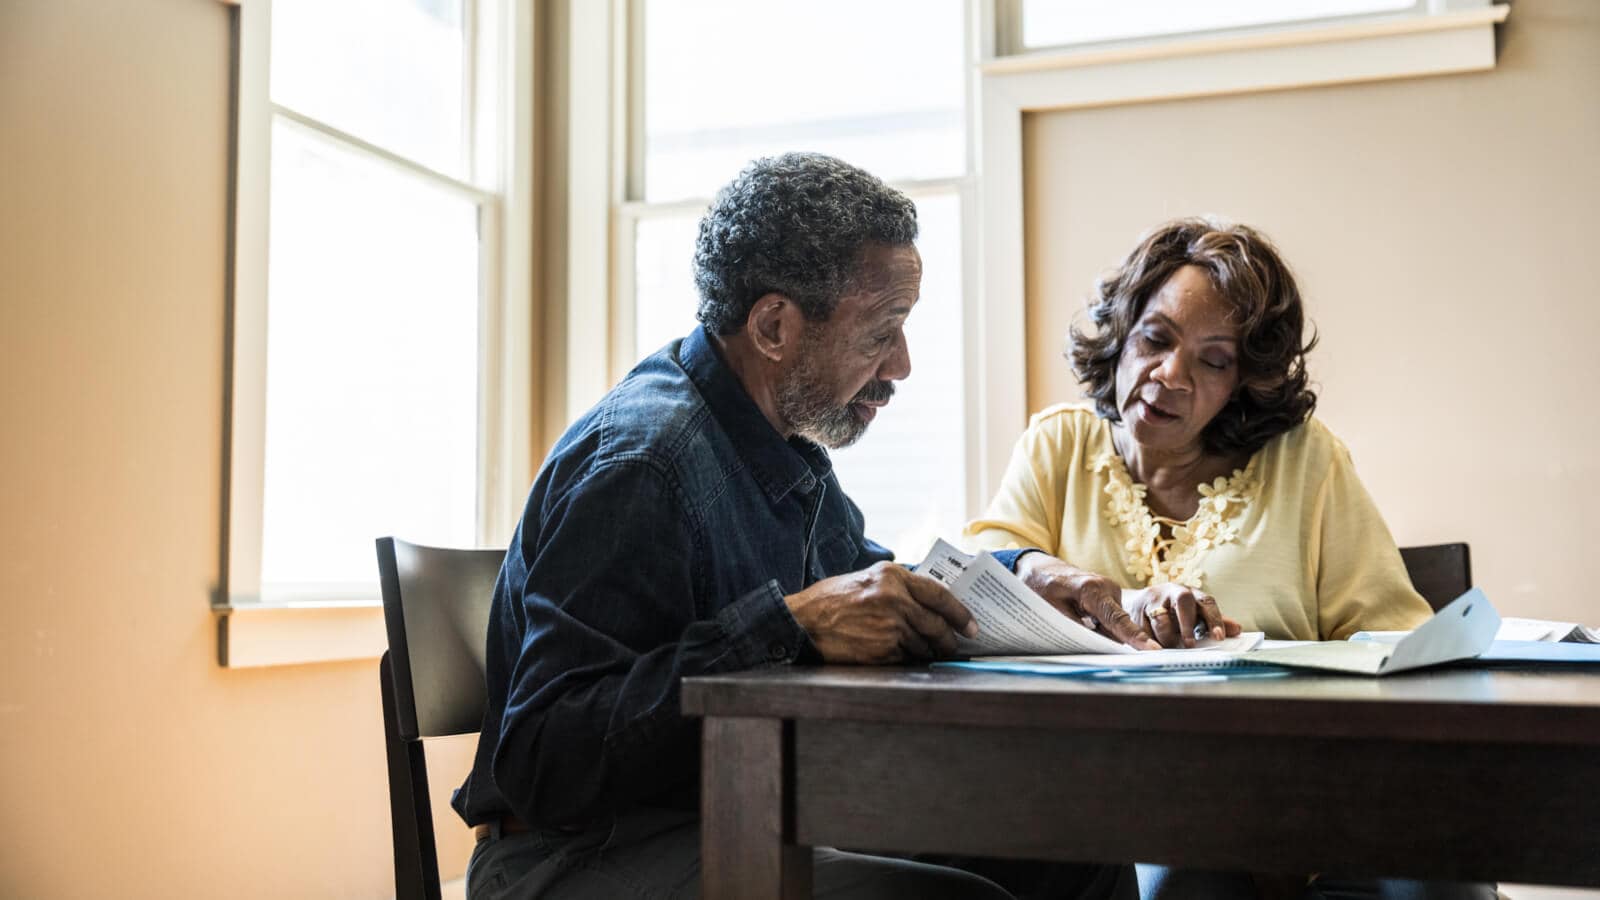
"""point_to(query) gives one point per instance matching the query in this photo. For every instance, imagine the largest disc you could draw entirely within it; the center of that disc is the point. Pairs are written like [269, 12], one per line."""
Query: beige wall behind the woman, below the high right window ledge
[1444, 233]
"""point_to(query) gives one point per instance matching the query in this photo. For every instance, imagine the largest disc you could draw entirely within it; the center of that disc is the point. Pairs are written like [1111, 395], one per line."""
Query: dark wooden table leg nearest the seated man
[748, 848]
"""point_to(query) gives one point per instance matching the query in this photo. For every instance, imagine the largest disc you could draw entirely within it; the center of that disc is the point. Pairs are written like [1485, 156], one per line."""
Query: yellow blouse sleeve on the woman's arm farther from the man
[1362, 584]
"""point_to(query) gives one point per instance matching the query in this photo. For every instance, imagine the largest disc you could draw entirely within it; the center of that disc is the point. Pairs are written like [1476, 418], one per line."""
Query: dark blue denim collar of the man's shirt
[778, 465]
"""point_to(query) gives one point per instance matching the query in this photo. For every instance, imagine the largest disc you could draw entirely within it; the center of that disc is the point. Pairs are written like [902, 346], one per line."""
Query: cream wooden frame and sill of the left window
[295, 629]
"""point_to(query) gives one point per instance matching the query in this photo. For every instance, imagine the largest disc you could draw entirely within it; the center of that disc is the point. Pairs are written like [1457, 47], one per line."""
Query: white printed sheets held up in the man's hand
[1012, 619]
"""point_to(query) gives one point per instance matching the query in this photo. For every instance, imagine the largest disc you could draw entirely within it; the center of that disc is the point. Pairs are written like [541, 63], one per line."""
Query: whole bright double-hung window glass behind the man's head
[887, 94]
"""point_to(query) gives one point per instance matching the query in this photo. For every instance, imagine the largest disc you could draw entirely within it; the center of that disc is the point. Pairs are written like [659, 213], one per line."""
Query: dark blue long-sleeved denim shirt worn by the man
[658, 542]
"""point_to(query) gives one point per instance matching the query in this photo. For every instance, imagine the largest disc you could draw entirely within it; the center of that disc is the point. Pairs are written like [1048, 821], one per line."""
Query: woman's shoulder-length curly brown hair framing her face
[1273, 392]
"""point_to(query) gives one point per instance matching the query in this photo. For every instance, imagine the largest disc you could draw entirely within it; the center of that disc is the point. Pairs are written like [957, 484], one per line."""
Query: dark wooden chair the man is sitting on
[436, 611]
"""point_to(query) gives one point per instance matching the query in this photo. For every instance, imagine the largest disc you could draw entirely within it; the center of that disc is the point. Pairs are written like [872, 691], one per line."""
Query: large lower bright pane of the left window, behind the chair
[372, 364]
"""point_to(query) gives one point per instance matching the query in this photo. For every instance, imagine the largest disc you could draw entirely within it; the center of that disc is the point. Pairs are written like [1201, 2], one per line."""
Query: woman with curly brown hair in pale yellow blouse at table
[1194, 492]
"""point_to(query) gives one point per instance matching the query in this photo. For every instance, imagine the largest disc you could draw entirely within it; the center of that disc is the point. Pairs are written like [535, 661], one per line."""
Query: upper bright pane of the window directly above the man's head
[876, 84]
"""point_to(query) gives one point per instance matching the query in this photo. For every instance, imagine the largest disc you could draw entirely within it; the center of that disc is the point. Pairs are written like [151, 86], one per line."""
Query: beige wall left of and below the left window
[130, 765]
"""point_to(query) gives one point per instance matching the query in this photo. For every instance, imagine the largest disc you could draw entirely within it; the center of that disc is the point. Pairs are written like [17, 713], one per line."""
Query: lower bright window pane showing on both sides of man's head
[908, 473]
